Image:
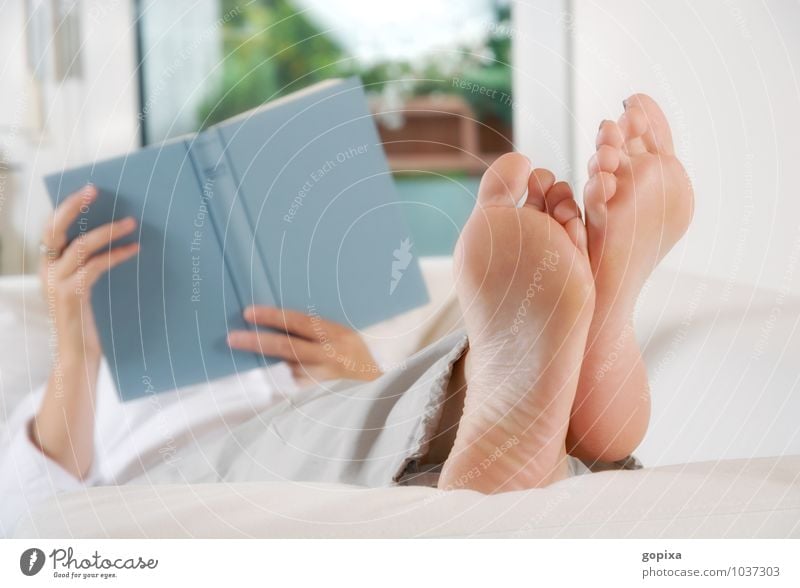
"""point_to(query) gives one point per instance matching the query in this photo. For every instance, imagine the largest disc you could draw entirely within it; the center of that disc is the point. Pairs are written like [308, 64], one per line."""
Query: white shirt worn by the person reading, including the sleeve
[130, 437]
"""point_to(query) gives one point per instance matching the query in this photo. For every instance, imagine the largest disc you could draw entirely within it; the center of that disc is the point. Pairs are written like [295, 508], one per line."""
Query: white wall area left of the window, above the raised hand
[57, 124]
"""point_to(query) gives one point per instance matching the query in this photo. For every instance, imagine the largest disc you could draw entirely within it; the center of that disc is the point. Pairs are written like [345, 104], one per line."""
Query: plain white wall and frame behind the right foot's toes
[727, 73]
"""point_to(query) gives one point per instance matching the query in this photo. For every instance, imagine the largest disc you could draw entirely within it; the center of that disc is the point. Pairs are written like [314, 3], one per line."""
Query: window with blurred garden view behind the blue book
[437, 74]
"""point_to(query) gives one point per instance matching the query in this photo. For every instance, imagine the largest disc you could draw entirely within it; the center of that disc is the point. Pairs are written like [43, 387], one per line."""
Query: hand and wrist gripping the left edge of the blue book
[68, 272]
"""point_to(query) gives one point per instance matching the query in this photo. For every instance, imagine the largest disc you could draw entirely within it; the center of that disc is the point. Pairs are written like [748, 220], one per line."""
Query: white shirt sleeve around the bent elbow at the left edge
[27, 476]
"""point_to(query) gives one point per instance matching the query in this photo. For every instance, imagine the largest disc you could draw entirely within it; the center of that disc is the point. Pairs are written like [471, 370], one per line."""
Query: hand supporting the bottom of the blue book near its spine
[314, 348]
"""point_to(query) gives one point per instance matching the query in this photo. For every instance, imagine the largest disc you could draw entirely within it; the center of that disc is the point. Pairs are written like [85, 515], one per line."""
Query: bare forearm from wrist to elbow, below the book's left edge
[64, 427]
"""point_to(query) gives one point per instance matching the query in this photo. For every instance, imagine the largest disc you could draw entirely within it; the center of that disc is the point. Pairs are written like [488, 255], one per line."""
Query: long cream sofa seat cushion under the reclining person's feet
[734, 498]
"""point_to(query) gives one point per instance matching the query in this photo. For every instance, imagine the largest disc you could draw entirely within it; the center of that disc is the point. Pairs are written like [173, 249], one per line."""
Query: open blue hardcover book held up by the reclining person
[291, 205]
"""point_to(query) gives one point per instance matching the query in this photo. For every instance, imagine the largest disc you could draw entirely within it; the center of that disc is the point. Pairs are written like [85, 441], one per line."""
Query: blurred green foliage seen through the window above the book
[271, 49]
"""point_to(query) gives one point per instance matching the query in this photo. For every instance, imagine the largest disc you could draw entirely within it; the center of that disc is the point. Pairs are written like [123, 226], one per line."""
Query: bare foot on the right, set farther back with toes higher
[639, 203]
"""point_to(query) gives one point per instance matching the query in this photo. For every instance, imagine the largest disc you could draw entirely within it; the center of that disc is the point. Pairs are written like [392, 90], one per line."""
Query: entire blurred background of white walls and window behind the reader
[453, 84]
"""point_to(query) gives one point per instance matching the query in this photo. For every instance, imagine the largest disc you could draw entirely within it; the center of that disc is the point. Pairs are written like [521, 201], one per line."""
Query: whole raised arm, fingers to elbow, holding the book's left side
[63, 429]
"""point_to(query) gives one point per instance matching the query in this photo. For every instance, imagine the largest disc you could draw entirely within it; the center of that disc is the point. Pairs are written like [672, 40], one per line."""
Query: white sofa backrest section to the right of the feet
[722, 360]
